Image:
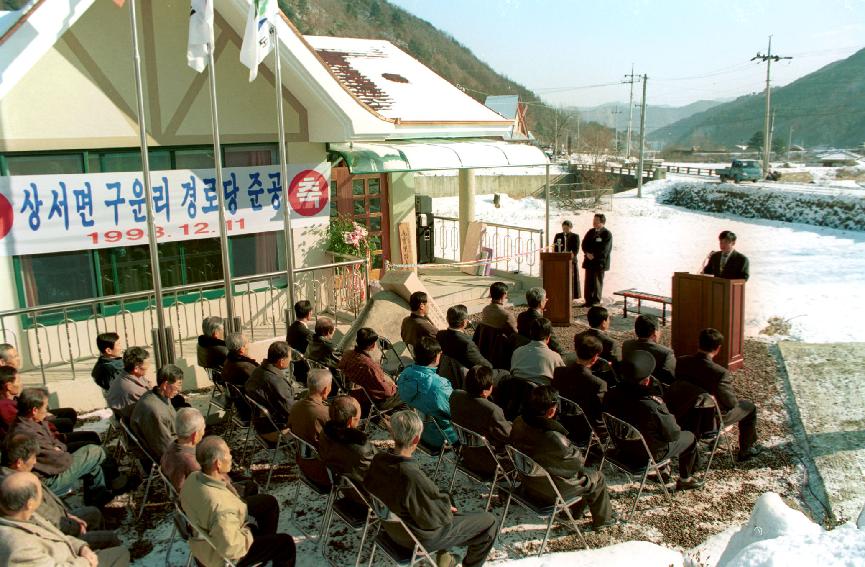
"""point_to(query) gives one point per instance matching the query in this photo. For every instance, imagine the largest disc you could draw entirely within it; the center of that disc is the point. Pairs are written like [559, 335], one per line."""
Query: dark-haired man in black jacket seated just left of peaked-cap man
[577, 383]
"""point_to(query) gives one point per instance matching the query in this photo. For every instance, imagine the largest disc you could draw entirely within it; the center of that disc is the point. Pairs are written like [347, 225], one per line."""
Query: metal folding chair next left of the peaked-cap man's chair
[526, 468]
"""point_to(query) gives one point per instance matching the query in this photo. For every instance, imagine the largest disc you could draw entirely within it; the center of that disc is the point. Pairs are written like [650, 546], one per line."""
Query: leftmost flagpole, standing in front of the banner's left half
[162, 341]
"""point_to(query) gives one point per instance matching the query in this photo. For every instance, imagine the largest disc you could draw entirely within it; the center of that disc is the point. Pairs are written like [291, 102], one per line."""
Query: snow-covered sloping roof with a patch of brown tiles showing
[396, 85]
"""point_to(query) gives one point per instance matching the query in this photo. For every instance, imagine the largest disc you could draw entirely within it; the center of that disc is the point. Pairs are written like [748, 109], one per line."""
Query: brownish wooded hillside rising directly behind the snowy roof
[378, 19]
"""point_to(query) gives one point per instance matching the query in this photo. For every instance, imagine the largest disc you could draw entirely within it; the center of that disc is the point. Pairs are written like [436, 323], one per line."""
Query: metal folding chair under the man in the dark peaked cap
[623, 434]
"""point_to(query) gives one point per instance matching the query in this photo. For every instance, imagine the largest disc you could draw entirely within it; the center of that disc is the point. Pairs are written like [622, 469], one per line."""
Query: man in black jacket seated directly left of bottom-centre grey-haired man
[343, 447]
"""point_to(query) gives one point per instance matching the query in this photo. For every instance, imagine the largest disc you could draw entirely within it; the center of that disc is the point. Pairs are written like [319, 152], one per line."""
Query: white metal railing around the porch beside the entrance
[516, 248]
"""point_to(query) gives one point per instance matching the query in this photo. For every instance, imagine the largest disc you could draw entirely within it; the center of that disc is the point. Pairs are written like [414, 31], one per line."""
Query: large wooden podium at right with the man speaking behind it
[701, 301]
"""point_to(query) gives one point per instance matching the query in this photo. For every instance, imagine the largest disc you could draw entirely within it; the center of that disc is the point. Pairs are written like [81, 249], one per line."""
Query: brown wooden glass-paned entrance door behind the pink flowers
[364, 198]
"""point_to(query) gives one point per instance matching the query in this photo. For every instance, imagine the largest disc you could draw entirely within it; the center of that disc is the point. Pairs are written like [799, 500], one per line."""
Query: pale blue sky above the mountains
[690, 50]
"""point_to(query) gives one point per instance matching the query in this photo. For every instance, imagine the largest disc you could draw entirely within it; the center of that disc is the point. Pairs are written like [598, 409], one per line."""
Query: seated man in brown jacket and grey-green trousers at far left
[60, 469]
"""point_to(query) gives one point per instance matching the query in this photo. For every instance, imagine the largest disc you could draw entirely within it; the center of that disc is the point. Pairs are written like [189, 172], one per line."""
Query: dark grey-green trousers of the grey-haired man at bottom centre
[477, 531]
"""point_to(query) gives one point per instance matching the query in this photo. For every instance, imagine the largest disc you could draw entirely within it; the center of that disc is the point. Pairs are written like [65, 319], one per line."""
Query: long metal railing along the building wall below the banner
[64, 334]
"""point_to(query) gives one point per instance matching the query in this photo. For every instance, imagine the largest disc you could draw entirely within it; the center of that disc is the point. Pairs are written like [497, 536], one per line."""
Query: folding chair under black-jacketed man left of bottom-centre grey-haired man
[351, 505]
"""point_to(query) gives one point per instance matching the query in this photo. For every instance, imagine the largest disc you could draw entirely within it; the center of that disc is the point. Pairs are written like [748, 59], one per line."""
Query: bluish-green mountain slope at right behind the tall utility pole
[823, 108]
